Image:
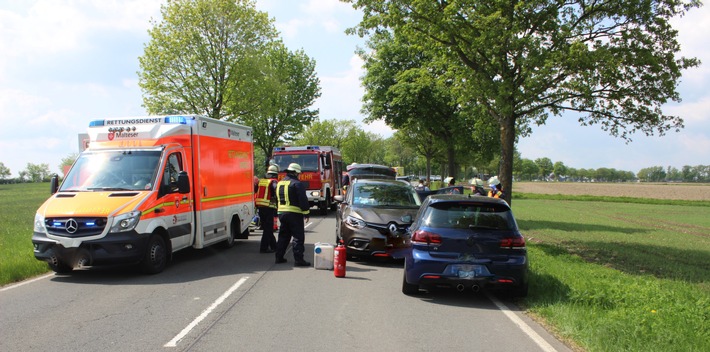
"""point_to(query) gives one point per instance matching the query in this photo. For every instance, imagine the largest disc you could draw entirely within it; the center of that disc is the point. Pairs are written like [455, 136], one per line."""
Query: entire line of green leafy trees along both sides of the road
[461, 79]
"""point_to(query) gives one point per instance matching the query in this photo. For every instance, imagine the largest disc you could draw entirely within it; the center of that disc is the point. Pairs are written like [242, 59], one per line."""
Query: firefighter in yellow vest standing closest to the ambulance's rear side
[266, 206]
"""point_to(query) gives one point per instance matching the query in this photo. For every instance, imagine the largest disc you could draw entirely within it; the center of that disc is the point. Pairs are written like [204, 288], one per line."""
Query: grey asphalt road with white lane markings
[237, 299]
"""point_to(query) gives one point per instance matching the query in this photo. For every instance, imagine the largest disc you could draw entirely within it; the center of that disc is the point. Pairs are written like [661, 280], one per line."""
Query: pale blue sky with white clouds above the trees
[65, 63]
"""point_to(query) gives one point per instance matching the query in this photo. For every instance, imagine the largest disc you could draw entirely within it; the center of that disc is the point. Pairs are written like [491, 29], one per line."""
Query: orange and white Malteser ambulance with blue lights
[146, 187]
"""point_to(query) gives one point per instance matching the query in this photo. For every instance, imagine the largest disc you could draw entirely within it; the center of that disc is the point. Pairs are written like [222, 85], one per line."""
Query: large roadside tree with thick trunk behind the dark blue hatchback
[613, 62]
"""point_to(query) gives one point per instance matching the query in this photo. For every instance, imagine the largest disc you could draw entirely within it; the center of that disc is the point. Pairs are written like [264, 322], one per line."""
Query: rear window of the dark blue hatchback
[468, 215]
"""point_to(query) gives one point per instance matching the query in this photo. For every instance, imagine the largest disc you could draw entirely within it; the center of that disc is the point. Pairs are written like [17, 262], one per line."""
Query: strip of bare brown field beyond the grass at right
[677, 191]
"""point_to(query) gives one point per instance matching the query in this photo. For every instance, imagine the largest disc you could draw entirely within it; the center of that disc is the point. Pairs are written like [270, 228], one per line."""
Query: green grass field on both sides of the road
[607, 274]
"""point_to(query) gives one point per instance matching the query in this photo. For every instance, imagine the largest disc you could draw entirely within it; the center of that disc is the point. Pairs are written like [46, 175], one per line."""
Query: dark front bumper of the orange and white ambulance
[123, 248]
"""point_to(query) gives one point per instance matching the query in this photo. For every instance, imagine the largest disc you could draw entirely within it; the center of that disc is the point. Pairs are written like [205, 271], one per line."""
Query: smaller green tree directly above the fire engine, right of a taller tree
[290, 88]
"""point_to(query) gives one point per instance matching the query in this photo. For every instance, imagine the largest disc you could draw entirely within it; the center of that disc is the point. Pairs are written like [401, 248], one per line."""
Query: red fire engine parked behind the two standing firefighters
[321, 169]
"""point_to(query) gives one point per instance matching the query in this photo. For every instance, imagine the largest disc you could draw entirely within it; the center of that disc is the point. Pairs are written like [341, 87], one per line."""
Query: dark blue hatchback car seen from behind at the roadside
[468, 243]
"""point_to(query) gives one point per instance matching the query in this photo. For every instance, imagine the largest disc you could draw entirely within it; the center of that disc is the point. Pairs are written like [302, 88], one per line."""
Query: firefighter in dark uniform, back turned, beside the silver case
[292, 207]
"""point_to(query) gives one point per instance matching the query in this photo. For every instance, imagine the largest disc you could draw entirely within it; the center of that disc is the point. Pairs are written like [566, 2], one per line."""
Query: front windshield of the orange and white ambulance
[113, 170]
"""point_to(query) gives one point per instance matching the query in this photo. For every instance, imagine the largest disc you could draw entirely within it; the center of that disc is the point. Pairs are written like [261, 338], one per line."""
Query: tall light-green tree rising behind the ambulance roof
[202, 56]
